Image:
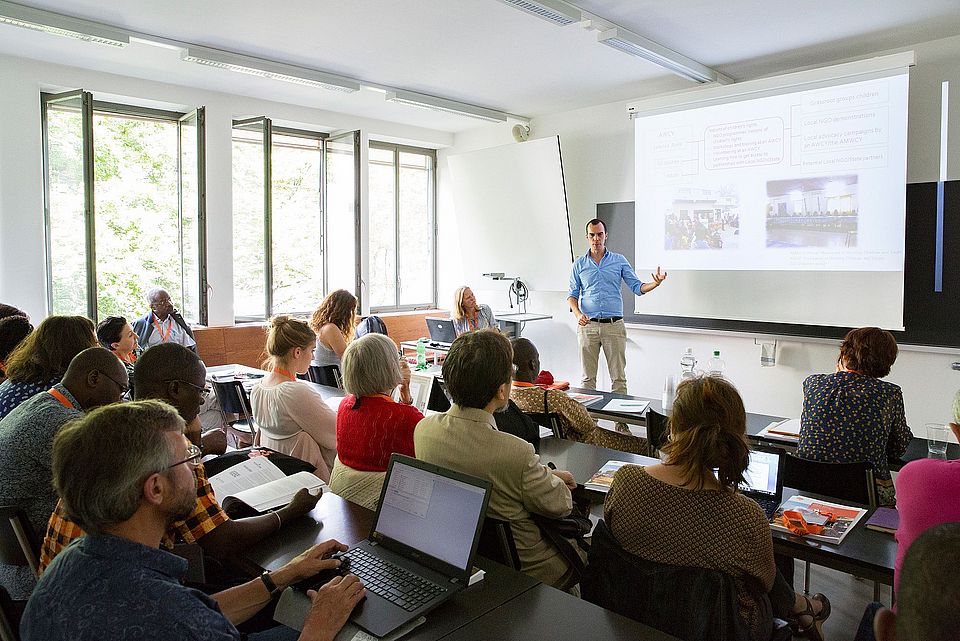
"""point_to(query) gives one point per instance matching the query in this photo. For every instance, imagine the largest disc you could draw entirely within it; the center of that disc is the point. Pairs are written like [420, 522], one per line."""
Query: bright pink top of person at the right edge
[927, 491]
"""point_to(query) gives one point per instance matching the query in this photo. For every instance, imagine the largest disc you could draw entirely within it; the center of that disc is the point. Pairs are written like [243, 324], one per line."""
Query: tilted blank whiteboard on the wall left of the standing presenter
[512, 214]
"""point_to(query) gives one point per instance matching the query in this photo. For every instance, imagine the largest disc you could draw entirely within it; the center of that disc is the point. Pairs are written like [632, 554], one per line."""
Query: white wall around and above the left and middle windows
[22, 263]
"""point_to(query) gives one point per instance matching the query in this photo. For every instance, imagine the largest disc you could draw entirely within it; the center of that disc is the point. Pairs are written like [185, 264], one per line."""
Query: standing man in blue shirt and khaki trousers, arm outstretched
[595, 299]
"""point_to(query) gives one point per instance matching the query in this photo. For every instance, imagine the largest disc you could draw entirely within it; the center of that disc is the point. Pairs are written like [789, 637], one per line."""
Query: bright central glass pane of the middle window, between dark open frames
[297, 216]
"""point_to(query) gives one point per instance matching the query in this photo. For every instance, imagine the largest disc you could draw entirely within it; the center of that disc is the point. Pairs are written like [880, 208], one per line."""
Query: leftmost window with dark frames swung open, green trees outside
[124, 207]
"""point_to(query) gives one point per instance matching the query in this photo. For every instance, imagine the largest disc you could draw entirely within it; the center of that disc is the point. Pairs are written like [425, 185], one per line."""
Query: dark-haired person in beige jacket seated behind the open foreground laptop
[477, 373]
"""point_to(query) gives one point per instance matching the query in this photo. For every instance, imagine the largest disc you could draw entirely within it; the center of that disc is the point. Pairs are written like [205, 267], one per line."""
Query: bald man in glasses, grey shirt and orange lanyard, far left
[94, 378]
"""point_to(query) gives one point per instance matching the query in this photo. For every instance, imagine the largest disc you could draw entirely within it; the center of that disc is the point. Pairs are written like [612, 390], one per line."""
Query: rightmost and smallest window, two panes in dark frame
[402, 227]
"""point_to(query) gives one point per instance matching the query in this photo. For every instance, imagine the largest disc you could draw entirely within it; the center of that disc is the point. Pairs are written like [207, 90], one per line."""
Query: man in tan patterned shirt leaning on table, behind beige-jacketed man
[576, 422]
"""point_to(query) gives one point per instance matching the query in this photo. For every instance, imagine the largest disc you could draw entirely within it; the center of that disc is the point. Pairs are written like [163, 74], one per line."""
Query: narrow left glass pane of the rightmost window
[383, 227]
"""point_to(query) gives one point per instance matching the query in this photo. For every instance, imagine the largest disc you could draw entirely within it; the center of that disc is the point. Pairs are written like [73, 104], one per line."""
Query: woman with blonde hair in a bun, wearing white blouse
[293, 417]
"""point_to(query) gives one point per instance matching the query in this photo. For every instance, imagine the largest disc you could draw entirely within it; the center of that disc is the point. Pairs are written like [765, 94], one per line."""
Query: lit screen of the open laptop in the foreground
[431, 513]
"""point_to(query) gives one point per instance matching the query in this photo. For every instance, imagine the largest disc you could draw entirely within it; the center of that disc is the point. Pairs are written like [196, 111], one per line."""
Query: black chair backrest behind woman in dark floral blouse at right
[844, 481]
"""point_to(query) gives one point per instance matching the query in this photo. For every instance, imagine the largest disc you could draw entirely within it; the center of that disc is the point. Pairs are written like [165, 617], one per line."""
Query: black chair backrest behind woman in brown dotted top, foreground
[686, 602]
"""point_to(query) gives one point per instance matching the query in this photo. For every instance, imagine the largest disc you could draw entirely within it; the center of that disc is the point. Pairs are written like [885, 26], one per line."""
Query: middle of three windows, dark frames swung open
[285, 259]
